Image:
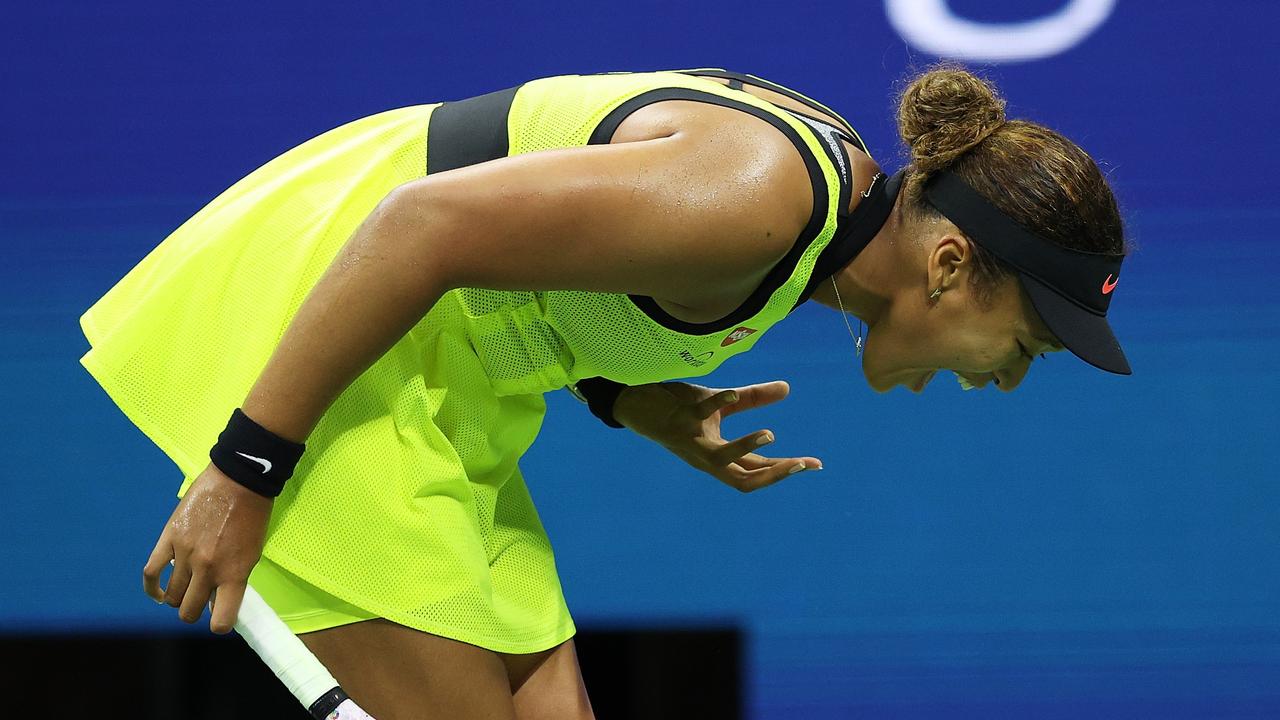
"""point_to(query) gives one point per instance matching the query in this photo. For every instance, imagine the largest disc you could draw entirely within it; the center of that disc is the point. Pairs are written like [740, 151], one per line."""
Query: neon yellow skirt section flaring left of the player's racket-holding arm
[236, 274]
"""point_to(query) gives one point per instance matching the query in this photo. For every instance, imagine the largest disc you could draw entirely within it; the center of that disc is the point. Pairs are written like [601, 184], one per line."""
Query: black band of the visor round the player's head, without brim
[1081, 277]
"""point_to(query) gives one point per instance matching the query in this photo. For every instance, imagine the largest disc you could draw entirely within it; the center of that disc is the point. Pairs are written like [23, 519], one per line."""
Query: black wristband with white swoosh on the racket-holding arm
[254, 457]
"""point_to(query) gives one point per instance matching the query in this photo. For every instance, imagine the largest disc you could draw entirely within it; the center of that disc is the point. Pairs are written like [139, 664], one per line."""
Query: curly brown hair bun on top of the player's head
[944, 113]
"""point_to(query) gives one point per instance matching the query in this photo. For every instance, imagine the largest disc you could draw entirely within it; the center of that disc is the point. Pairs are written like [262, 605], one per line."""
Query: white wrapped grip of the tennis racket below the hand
[282, 651]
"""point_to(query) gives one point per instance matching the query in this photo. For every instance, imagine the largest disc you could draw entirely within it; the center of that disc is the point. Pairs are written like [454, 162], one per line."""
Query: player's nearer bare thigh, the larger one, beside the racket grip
[400, 673]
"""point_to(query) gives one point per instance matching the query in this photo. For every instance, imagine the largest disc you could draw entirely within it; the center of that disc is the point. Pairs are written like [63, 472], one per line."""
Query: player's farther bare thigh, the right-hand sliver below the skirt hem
[548, 686]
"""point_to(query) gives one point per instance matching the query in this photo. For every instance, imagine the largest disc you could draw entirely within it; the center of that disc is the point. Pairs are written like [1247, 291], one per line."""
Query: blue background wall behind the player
[1089, 545]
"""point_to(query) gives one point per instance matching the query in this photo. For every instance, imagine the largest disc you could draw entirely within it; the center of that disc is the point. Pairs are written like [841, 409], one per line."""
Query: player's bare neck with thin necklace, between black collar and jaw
[867, 282]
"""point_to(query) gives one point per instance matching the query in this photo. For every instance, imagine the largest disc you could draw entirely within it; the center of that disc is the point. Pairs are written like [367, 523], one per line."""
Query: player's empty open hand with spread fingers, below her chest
[687, 420]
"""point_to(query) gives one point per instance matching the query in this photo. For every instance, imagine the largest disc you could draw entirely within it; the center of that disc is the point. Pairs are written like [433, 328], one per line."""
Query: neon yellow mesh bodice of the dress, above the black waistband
[541, 341]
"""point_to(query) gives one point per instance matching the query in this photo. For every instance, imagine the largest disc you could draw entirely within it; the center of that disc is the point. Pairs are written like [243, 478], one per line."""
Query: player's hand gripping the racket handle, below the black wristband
[213, 540]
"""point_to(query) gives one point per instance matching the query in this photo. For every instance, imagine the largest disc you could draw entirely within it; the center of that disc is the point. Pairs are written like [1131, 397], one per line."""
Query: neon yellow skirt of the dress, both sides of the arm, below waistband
[409, 502]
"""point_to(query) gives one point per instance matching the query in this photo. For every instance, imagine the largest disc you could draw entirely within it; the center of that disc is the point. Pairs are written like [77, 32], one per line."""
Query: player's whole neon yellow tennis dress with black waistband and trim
[410, 503]
